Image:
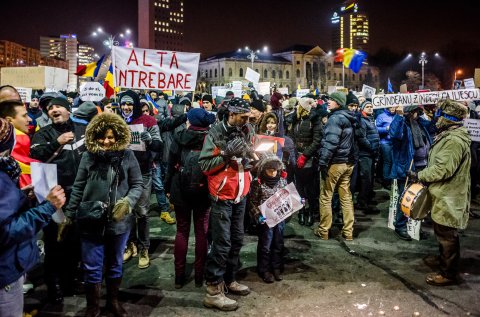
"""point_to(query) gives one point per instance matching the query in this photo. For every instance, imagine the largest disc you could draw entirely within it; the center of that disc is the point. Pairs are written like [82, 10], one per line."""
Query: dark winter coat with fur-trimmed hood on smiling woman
[96, 174]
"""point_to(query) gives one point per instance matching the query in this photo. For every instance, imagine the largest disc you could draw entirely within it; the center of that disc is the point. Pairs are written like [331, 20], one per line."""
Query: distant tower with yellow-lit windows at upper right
[350, 27]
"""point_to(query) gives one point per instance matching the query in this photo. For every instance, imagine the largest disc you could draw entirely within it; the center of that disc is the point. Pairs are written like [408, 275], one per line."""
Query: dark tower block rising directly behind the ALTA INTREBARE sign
[161, 24]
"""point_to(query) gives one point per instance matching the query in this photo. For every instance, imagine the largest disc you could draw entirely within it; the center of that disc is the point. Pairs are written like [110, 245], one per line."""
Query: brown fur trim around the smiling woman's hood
[99, 125]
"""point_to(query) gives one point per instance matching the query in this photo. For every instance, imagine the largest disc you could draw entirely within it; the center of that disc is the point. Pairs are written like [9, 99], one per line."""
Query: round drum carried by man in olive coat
[416, 202]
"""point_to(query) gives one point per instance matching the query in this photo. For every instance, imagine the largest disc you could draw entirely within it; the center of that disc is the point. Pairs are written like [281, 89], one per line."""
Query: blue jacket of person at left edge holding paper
[18, 230]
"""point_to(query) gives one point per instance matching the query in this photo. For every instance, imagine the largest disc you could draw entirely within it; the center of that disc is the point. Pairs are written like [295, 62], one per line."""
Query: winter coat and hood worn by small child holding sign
[260, 191]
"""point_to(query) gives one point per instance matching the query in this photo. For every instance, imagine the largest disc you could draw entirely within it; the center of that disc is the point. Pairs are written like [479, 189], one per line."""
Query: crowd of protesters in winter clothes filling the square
[199, 160]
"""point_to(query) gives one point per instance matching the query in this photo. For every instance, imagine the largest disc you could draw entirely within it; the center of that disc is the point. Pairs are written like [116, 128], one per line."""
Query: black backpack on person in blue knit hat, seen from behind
[192, 179]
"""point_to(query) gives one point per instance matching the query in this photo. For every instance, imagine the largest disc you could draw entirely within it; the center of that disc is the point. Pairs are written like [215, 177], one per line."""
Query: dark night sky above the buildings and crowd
[214, 26]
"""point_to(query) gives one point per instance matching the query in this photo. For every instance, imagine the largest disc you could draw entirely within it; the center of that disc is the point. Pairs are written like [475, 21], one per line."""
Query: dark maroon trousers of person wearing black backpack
[200, 225]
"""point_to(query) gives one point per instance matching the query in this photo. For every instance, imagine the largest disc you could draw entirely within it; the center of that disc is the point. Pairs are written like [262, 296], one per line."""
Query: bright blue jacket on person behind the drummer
[402, 145]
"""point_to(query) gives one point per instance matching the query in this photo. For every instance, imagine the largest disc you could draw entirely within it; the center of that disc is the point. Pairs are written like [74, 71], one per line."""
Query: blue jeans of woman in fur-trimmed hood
[97, 251]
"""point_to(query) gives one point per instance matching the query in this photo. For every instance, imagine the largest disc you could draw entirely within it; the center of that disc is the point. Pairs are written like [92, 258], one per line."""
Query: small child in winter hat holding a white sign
[270, 179]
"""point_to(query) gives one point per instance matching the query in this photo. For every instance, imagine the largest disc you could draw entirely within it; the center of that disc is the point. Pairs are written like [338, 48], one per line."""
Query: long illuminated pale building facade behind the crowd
[299, 65]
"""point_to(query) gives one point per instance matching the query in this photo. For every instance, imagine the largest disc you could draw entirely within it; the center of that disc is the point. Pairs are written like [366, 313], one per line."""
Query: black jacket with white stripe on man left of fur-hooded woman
[45, 144]
